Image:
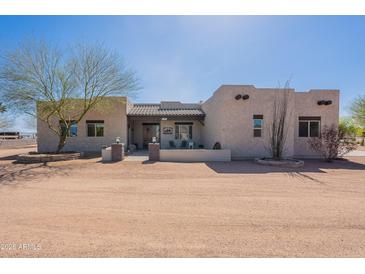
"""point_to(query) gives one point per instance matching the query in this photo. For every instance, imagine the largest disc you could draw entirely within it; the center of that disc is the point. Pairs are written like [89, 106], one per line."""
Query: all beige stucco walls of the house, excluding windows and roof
[228, 121]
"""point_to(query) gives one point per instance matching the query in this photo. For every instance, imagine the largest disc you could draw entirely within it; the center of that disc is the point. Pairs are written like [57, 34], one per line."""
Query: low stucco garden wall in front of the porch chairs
[195, 155]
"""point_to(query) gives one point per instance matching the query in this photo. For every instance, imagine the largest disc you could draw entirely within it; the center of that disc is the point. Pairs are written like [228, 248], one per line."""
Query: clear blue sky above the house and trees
[188, 57]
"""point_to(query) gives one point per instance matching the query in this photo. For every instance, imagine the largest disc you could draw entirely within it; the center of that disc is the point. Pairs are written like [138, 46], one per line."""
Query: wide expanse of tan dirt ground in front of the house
[84, 208]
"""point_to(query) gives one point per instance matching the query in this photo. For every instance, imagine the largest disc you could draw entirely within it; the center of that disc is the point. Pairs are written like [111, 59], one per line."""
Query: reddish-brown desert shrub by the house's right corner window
[332, 144]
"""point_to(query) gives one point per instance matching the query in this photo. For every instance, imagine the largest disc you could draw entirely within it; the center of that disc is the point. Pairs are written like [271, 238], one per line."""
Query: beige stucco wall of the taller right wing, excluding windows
[230, 121]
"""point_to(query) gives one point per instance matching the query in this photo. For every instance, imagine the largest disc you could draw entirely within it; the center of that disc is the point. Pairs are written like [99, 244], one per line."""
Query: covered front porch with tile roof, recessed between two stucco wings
[174, 125]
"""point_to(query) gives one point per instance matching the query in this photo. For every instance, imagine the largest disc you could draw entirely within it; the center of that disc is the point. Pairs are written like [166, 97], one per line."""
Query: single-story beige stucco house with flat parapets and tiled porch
[236, 116]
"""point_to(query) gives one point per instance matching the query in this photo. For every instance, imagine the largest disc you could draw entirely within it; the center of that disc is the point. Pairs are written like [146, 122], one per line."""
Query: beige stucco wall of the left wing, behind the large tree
[115, 125]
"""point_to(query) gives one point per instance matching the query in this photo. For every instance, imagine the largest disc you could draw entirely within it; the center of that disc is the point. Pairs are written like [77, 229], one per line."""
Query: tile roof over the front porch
[166, 108]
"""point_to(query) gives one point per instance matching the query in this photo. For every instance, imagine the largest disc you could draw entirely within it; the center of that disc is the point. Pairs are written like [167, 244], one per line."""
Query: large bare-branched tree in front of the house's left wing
[49, 84]
